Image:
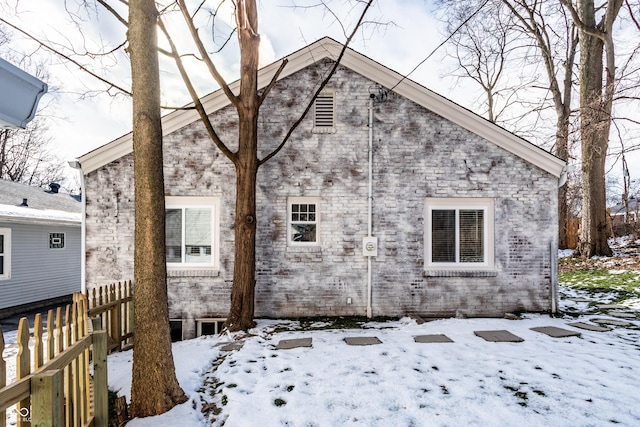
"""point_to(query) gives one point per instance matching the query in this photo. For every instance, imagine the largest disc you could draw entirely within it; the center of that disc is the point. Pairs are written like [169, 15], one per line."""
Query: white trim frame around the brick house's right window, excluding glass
[487, 204]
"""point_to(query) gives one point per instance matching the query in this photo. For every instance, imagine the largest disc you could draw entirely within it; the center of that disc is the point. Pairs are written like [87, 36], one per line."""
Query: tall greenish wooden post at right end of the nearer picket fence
[100, 384]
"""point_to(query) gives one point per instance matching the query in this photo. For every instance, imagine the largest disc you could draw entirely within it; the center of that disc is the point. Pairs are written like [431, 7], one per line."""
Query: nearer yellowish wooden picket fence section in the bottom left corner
[60, 391]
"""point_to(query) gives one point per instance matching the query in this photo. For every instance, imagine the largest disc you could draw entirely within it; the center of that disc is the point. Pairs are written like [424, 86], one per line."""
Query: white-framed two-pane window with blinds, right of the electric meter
[459, 233]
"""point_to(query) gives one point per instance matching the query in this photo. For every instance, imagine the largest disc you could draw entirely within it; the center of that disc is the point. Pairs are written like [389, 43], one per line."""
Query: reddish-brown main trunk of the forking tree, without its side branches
[244, 274]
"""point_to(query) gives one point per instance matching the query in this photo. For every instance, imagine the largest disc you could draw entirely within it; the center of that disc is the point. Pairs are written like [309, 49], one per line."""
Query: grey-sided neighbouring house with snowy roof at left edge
[40, 246]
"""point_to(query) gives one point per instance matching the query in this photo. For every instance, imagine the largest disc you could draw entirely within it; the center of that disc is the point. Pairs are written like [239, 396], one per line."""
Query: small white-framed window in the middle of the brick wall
[304, 219]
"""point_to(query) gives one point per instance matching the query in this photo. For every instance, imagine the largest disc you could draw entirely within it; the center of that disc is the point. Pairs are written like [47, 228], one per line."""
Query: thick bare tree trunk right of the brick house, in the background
[595, 122]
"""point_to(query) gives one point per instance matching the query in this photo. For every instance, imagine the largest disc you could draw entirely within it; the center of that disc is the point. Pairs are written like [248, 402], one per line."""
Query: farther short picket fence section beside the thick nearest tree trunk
[113, 304]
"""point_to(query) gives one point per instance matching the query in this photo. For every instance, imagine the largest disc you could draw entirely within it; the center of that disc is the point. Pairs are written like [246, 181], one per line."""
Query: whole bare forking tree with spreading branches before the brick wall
[246, 161]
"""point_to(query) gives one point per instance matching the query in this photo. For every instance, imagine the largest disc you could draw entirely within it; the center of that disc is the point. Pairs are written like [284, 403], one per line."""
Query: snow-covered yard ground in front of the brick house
[542, 381]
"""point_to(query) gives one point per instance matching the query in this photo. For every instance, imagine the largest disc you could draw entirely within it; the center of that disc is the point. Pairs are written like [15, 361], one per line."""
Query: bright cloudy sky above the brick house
[405, 33]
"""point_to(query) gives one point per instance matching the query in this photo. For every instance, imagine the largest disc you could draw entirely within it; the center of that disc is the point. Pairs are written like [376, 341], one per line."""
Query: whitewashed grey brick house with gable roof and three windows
[463, 213]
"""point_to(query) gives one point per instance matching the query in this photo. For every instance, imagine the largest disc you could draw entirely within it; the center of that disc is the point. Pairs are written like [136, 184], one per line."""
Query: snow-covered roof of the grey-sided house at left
[42, 206]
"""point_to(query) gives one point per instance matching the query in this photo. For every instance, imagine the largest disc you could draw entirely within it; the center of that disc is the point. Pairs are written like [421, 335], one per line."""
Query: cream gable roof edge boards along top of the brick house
[329, 48]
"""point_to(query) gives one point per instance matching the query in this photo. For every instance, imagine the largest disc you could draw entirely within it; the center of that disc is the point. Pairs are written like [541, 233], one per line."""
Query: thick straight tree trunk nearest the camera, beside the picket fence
[154, 386]
